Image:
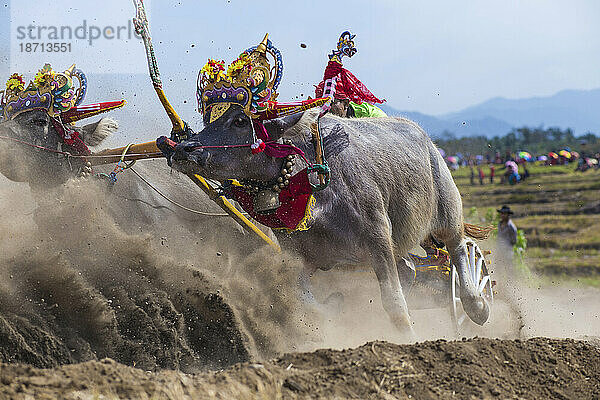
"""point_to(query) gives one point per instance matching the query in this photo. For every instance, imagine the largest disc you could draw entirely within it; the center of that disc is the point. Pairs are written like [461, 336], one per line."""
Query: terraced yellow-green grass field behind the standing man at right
[558, 212]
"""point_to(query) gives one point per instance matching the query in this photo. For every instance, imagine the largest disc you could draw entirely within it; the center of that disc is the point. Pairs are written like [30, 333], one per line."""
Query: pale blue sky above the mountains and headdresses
[429, 56]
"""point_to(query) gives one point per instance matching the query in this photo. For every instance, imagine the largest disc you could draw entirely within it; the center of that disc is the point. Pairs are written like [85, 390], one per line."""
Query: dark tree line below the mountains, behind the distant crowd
[537, 141]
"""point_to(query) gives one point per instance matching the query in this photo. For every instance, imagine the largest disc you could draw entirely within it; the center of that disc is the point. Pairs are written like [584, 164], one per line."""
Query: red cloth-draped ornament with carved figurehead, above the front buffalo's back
[340, 83]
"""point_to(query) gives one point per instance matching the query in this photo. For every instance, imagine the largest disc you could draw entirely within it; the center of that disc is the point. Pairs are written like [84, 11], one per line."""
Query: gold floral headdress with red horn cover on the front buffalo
[249, 82]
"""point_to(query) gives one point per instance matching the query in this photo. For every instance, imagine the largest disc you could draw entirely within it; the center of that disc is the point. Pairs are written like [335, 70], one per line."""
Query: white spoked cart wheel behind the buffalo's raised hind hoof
[478, 271]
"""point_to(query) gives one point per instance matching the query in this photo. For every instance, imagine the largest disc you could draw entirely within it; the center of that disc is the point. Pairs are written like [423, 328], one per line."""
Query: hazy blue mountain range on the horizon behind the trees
[575, 109]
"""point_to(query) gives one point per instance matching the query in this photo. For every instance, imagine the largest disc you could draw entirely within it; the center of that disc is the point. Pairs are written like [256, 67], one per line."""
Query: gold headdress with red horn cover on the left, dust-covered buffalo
[51, 91]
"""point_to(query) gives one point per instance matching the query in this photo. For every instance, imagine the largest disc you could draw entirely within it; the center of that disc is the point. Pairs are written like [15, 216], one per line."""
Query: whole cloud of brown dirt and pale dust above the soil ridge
[75, 287]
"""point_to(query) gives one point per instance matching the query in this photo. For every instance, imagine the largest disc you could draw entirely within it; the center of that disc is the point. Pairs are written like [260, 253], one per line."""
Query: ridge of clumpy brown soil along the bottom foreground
[477, 368]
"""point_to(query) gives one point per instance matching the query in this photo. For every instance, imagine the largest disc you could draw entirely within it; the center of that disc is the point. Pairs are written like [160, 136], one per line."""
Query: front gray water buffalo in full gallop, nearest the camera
[390, 189]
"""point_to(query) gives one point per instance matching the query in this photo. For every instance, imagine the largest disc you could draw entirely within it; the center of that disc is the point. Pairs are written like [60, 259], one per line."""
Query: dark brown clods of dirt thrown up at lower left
[54, 311]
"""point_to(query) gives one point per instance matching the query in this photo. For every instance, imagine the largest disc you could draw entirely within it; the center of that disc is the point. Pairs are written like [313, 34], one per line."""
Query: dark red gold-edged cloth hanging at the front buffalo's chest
[295, 211]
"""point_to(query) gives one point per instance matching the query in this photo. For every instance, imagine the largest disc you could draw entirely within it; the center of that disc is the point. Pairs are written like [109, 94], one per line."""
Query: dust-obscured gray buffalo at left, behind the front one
[134, 205]
